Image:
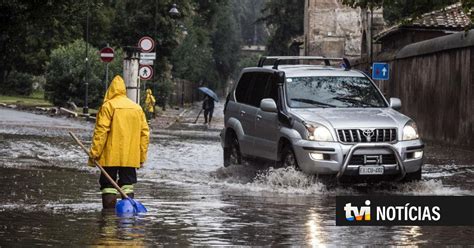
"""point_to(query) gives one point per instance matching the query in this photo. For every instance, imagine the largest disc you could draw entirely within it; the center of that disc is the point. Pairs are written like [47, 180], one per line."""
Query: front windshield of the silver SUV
[332, 92]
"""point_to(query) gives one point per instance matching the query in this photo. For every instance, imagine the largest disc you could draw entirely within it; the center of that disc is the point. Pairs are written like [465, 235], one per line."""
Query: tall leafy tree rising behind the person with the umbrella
[210, 50]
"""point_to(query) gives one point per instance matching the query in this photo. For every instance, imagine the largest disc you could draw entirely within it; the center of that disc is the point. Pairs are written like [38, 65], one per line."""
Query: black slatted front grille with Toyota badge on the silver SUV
[367, 135]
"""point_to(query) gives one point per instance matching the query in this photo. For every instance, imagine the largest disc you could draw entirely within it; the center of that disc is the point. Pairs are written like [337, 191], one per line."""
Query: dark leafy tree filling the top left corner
[31, 29]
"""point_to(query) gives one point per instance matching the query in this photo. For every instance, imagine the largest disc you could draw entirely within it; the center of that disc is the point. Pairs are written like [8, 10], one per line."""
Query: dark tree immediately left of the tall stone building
[285, 19]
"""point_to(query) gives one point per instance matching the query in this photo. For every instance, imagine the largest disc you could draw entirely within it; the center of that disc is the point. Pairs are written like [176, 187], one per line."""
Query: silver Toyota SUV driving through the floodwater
[322, 119]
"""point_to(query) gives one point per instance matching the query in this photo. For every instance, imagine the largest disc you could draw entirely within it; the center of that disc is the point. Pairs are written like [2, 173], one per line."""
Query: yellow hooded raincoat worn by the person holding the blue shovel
[121, 133]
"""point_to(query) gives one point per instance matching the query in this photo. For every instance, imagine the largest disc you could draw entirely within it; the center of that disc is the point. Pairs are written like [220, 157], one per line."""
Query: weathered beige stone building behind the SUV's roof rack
[335, 30]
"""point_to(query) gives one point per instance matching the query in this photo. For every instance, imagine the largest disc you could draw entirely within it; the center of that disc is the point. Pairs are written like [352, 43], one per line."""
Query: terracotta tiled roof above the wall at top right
[450, 18]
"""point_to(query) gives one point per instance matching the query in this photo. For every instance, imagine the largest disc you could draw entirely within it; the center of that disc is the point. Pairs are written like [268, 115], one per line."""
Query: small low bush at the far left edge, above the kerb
[18, 83]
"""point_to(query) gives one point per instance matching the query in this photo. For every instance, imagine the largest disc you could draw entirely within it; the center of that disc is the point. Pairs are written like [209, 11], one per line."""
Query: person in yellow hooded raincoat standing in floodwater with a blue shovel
[120, 141]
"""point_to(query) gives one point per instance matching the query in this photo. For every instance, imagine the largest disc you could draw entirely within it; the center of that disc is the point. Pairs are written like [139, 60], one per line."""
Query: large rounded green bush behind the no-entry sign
[66, 73]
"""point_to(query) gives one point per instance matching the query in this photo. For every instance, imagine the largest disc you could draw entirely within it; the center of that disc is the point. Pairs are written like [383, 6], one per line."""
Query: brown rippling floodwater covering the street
[50, 197]
